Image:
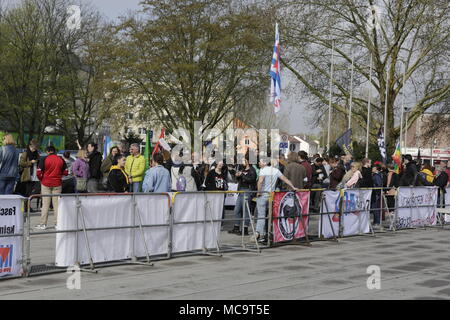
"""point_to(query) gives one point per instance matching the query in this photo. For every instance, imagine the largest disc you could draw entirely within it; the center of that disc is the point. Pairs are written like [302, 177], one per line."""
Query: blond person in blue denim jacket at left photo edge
[9, 165]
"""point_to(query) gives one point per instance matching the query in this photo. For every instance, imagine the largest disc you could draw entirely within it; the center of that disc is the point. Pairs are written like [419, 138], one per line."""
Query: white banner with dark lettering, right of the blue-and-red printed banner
[420, 203]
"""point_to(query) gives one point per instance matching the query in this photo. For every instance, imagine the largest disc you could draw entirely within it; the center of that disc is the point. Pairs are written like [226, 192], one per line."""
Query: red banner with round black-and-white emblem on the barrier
[287, 207]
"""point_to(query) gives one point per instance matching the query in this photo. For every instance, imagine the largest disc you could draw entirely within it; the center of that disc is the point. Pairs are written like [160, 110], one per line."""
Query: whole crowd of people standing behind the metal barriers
[124, 170]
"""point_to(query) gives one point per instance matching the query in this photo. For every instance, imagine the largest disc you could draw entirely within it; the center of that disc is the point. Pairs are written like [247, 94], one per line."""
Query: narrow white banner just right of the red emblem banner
[330, 203]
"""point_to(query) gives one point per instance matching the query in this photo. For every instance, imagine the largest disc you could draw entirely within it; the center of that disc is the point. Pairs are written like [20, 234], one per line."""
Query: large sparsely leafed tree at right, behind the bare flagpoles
[405, 37]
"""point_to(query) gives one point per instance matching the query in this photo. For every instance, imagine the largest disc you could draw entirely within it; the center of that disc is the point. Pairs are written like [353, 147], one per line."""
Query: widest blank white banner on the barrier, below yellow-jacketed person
[106, 212]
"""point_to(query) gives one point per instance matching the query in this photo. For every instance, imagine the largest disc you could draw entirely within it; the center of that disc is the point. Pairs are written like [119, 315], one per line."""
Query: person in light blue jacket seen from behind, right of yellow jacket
[157, 178]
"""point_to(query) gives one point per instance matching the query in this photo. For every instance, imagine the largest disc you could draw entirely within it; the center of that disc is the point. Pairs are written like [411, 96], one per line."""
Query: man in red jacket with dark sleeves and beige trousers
[50, 172]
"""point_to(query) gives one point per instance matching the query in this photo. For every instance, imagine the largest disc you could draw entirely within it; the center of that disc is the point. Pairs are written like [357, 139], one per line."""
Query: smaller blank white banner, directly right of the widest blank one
[196, 207]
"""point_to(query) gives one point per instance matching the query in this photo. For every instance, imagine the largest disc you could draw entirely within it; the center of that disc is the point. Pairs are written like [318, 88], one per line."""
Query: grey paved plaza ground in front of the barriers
[414, 264]
